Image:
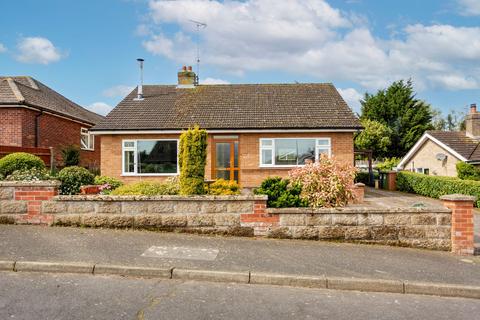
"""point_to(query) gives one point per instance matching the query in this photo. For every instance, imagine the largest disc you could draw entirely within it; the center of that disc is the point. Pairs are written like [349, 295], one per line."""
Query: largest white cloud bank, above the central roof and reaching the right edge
[309, 37]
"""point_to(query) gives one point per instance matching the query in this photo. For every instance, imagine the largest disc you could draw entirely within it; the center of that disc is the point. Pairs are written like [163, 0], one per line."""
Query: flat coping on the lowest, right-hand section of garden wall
[357, 210]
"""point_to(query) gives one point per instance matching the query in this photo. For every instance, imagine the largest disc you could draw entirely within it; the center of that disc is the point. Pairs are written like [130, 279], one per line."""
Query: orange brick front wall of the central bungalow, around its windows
[250, 174]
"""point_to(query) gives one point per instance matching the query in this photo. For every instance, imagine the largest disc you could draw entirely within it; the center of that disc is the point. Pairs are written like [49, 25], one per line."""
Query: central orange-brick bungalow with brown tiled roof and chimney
[255, 130]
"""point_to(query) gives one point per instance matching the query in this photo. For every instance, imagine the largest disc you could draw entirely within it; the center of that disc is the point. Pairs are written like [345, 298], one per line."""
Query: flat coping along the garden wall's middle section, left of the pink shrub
[160, 198]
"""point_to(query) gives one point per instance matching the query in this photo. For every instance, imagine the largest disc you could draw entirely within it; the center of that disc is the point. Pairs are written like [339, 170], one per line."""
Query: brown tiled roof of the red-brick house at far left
[26, 91]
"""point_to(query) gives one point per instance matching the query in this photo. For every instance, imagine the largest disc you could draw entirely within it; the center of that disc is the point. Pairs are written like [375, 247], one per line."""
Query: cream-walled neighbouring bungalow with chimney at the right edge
[437, 152]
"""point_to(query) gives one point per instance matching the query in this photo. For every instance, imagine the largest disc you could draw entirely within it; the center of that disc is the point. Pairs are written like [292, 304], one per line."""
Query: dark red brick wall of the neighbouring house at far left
[17, 128]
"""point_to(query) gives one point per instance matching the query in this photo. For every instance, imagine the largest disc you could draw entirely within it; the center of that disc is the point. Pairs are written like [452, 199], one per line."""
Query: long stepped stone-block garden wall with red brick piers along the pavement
[448, 227]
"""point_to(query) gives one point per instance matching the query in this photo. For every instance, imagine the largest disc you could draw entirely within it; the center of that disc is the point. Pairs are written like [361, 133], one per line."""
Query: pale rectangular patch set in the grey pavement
[188, 253]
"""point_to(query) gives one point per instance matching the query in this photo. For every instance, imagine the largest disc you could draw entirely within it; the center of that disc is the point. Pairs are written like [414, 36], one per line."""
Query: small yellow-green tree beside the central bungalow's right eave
[376, 137]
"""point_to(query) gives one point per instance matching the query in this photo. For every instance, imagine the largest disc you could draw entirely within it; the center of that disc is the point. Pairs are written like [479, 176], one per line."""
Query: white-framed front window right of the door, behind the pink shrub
[288, 152]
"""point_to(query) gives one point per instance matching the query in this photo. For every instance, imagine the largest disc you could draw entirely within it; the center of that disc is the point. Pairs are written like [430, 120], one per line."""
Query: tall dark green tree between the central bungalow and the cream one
[397, 108]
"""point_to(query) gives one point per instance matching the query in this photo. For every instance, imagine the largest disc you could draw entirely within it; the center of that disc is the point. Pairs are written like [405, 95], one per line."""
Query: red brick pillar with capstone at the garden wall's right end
[462, 222]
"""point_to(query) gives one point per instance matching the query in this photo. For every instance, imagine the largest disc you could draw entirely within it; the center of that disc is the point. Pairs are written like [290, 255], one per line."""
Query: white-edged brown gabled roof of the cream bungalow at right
[455, 142]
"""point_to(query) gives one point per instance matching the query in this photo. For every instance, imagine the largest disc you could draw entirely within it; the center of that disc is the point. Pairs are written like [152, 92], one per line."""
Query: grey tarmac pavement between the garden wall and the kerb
[294, 257]
